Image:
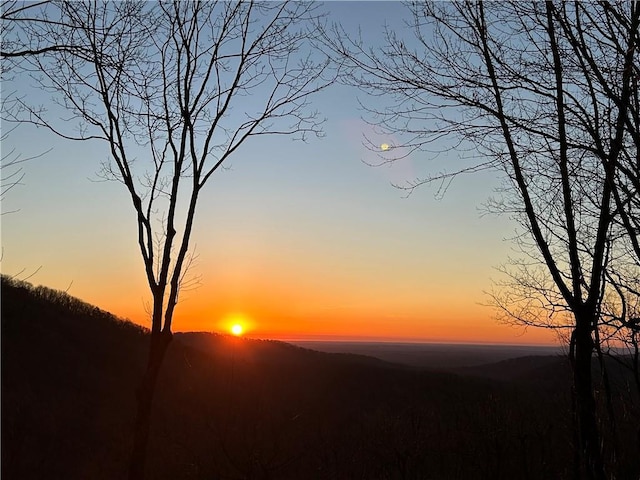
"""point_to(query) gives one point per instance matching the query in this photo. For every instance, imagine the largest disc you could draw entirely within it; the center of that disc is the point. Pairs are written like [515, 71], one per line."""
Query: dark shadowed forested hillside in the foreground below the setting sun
[229, 408]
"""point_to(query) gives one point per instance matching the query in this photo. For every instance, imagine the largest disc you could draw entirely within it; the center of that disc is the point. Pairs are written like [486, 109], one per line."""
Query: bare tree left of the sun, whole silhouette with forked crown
[173, 89]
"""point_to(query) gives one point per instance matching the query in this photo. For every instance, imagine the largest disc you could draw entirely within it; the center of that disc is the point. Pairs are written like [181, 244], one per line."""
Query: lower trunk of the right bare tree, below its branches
[585, 405]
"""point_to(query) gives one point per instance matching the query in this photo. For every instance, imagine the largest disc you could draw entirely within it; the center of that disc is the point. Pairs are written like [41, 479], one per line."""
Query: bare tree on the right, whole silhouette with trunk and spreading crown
[547, 94]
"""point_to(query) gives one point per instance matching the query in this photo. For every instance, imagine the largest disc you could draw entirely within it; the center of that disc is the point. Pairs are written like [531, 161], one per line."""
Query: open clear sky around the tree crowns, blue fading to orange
[294, 240]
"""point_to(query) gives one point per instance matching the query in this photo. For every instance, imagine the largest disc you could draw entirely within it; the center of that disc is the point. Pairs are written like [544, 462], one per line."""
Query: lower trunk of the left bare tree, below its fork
[158, 347]
